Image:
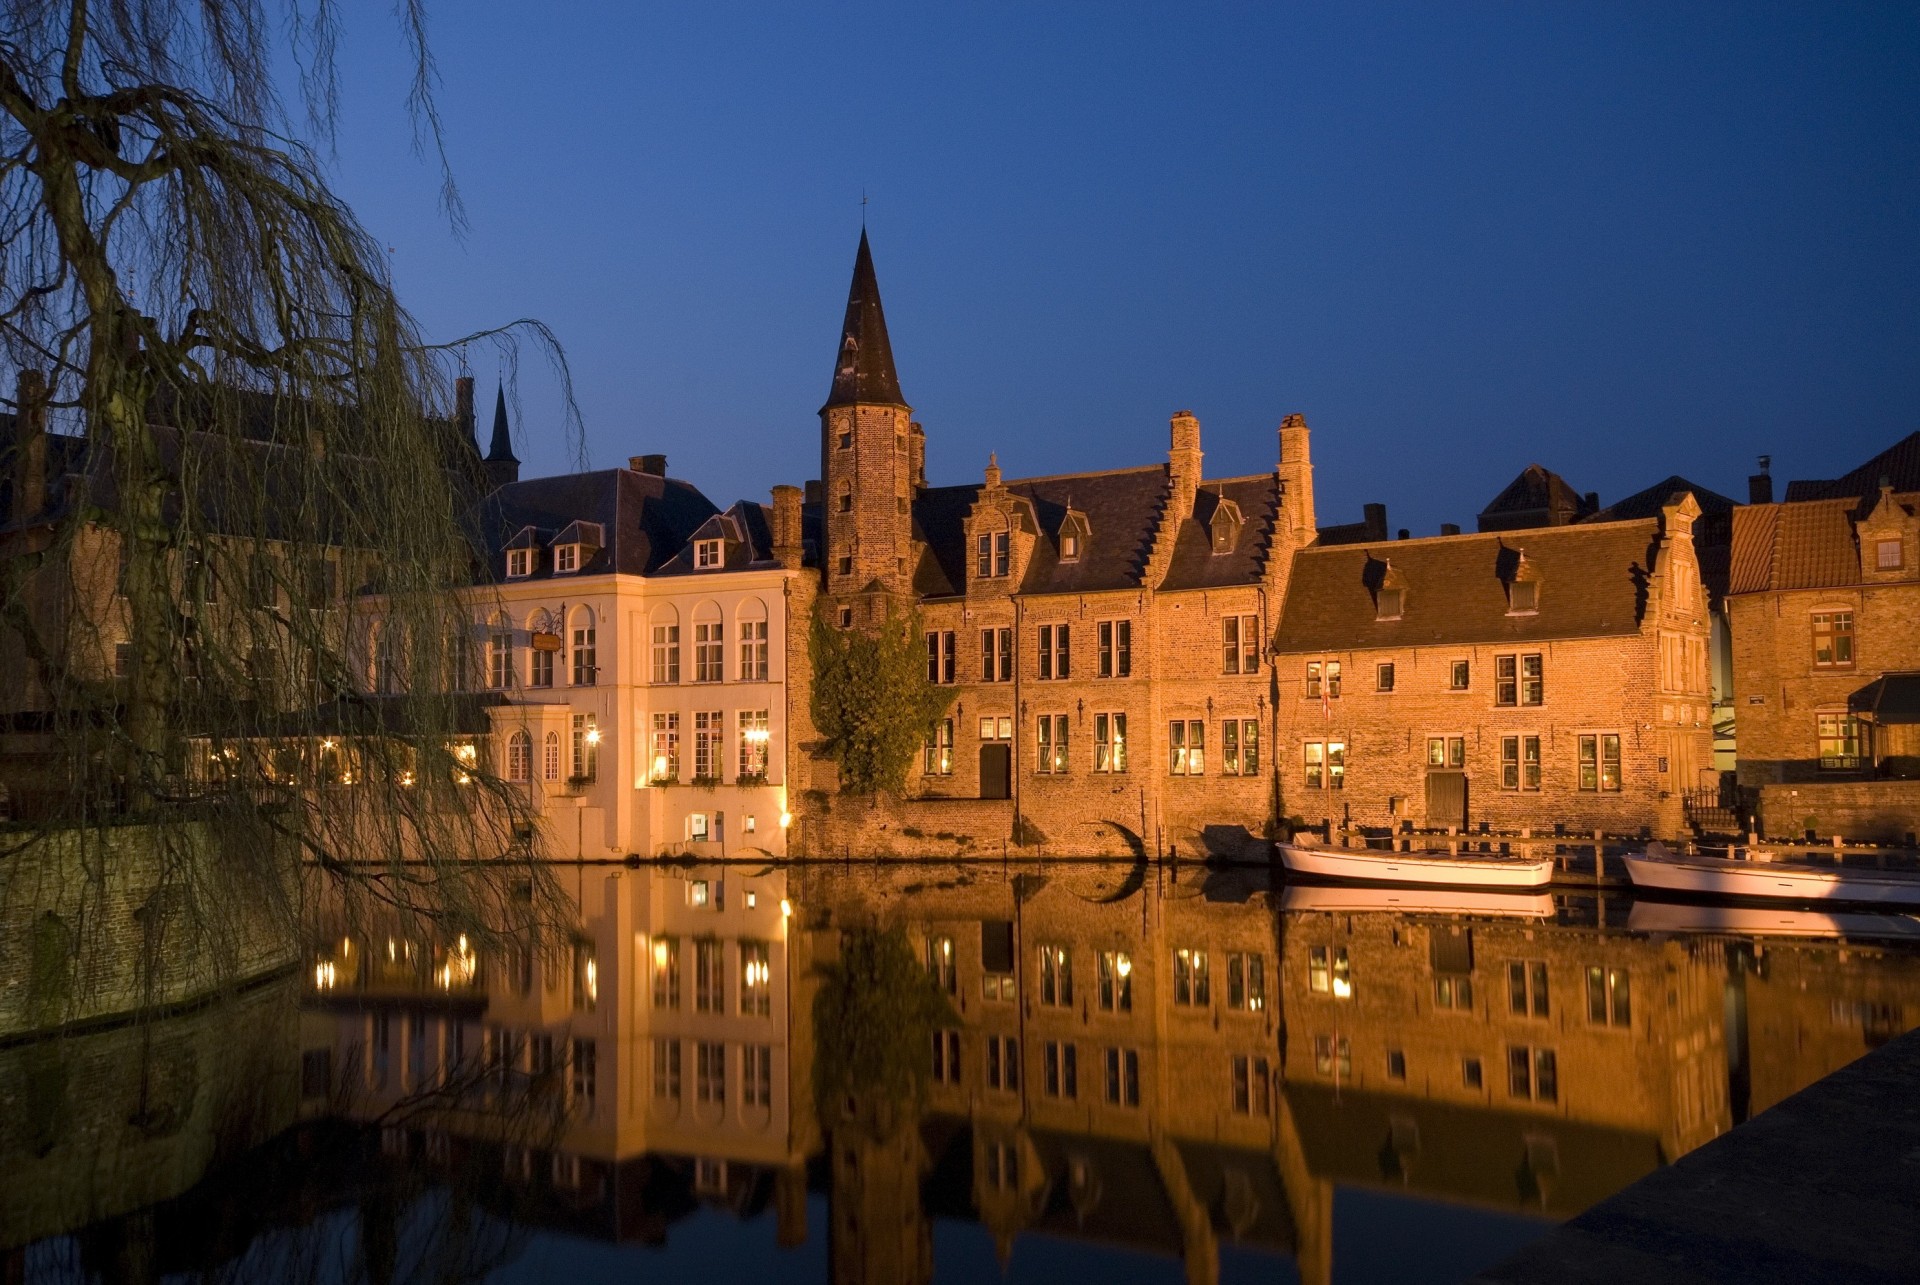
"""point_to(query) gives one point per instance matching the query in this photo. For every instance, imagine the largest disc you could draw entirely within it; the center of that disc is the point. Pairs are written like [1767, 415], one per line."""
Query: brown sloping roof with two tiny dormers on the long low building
[1593, 583]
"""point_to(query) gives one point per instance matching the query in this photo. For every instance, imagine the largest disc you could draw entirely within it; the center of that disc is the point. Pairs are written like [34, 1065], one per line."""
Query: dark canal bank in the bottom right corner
[1821, 1188]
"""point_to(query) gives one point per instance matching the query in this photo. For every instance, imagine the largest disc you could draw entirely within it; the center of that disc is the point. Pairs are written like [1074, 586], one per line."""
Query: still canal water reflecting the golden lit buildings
[932, 1073]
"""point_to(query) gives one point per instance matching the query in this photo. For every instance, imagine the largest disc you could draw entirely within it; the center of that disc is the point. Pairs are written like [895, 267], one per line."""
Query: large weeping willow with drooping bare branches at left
[237, 581]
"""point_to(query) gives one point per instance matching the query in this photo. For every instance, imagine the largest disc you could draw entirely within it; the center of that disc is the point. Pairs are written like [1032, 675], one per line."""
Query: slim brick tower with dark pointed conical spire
[867, 454]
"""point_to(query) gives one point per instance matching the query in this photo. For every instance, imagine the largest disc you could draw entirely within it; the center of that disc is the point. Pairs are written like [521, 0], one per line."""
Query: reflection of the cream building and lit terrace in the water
[631, 1073]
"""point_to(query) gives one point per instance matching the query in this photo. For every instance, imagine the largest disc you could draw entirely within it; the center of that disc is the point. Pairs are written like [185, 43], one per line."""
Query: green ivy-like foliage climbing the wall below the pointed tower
[873, 702]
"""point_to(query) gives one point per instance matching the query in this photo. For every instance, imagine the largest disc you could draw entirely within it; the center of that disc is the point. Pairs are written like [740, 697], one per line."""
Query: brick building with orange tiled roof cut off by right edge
[1827, 652]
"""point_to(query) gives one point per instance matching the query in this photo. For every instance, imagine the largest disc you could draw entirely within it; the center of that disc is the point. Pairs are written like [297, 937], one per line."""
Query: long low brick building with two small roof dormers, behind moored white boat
[1514, 677]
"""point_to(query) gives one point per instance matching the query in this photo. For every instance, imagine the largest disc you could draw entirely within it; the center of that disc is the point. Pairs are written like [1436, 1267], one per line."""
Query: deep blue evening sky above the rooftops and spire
[1616, 239]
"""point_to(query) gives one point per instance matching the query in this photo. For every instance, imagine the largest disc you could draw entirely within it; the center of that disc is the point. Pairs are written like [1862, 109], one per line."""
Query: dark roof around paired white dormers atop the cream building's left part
[646, 520]
